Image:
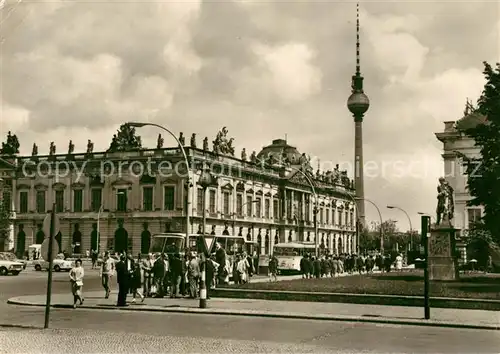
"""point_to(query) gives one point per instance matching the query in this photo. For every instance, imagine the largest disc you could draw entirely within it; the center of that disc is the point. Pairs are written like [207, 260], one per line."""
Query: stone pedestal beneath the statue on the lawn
[441, 253]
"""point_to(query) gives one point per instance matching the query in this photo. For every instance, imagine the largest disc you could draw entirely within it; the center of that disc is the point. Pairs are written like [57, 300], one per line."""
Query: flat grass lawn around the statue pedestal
[410, 284]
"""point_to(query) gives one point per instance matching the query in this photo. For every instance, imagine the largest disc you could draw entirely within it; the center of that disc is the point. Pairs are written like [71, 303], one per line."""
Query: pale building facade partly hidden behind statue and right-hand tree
[456, 144]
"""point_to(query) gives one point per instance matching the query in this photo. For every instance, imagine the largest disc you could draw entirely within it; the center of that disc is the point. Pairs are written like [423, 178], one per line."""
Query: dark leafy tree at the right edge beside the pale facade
[484, 172]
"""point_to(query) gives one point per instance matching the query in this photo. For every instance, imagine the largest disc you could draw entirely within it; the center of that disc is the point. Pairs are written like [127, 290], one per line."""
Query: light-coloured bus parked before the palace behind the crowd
[290, 254]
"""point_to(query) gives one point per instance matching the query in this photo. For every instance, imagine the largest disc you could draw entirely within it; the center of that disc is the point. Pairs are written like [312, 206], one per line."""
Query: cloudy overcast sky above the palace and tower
[77, 69]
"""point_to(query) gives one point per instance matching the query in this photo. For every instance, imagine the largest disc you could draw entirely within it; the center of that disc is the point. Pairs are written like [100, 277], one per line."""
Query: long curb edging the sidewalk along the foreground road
[268, 314]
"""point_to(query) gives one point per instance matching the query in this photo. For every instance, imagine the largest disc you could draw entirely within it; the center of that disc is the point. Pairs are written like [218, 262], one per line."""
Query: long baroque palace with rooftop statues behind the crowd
[131, 195]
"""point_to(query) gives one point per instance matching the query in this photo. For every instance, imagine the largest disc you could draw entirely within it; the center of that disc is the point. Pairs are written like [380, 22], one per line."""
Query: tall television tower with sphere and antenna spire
[358, 103]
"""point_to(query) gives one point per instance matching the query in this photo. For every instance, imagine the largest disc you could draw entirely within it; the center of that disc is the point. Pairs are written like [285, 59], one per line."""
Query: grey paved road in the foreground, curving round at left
[120, 331]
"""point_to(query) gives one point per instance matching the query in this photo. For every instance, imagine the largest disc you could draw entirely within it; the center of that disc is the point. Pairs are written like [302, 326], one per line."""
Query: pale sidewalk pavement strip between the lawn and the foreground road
[399, 315]
